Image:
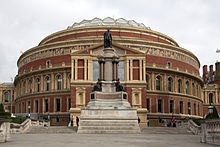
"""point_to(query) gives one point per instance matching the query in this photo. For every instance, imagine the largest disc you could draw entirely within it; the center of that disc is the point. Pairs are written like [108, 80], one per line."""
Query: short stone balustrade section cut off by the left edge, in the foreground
[4, 130]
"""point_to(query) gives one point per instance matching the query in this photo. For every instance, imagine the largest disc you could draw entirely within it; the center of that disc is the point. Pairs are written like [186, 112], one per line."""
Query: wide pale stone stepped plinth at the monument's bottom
[96, 121]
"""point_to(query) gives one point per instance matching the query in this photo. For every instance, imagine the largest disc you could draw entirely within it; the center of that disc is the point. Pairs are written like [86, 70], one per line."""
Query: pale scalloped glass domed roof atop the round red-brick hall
[109, 21]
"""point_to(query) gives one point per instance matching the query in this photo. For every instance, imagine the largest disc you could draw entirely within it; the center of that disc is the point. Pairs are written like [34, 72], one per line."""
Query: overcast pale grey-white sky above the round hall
[194, 24]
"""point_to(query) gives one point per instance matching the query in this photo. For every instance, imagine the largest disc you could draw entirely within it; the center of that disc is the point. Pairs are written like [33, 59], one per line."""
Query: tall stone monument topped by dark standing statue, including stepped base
[108, 110]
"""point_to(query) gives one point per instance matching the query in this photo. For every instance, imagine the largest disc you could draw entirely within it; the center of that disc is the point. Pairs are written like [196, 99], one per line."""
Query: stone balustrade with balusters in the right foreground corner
[210, 131]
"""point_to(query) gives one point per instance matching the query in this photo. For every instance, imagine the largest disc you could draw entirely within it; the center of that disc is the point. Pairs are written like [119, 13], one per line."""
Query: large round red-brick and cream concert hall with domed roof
[56, 77]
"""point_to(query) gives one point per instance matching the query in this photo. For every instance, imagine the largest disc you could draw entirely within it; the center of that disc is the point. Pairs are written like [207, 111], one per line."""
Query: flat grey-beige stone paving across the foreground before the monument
[150, 137]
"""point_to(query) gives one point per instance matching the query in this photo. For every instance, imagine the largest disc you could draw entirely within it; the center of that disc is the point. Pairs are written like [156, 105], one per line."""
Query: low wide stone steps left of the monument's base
[50, 130]
